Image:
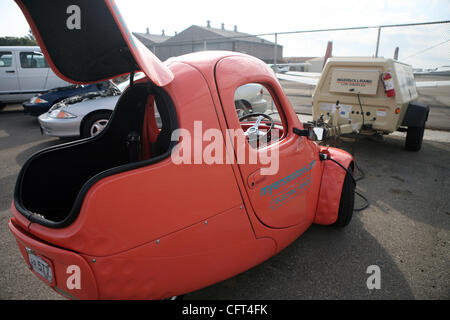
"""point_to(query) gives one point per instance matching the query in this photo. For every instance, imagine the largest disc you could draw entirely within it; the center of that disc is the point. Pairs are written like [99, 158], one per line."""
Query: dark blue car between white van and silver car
[42, 102]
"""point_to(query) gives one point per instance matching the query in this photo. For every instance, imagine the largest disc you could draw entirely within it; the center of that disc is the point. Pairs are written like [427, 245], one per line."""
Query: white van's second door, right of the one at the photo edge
[32, 71]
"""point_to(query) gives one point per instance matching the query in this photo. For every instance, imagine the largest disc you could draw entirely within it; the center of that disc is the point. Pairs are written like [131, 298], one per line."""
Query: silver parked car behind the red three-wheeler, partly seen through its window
[88, 114]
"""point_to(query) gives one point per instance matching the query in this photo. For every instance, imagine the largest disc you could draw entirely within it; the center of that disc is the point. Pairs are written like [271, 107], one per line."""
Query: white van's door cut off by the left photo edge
[8, 73]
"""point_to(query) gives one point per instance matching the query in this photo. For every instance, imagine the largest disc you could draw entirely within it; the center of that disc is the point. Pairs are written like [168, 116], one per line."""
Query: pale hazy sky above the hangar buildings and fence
[256, 17]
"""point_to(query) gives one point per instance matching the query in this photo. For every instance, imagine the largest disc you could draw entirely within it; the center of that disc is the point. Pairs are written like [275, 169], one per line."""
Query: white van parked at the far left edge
[24, 72]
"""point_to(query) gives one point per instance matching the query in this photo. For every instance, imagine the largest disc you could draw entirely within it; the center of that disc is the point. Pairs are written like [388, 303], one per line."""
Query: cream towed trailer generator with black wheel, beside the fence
[369, 96]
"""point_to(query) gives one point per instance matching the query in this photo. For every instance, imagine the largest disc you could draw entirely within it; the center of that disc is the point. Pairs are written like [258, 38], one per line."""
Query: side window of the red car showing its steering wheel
[259, 114]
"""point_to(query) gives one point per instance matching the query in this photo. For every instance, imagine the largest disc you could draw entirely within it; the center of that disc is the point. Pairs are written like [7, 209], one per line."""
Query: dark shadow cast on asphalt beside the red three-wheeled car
[324, 263]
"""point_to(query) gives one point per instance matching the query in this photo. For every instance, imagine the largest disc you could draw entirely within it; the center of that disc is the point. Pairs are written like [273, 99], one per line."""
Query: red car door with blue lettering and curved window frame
[281, 178]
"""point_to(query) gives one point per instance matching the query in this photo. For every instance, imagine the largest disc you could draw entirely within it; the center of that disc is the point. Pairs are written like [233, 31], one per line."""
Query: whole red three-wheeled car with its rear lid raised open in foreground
[118, 216]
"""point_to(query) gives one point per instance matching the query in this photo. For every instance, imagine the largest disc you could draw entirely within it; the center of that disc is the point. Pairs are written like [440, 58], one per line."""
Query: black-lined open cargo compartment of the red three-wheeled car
[53, 183]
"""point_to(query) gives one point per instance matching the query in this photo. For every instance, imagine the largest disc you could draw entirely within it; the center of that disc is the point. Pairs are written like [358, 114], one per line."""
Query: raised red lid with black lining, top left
[87, 41]
